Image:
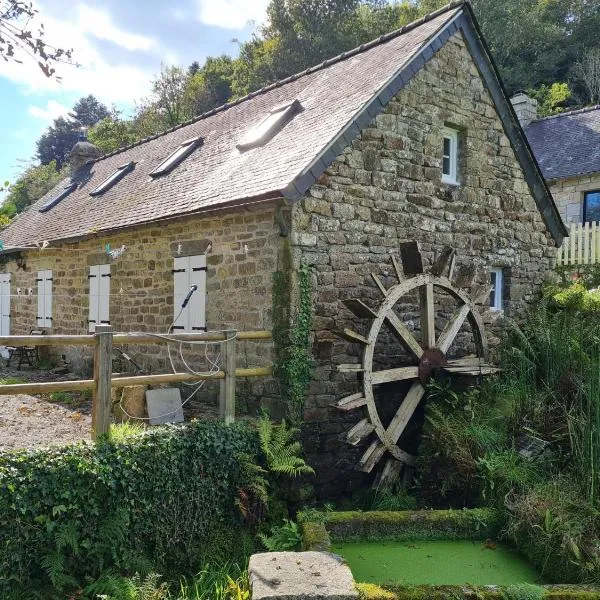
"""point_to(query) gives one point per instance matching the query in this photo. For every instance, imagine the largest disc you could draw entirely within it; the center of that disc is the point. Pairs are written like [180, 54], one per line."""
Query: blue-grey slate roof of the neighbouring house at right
[567, 144]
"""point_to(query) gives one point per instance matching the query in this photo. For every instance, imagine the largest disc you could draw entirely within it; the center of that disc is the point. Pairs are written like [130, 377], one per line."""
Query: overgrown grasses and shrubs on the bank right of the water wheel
[528, 441]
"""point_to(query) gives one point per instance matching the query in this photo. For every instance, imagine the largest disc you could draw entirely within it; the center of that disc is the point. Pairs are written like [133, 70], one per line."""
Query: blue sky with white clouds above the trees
[120, 45]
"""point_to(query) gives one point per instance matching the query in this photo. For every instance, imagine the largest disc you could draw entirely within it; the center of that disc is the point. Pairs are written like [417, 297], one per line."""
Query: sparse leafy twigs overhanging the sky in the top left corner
[19, 40]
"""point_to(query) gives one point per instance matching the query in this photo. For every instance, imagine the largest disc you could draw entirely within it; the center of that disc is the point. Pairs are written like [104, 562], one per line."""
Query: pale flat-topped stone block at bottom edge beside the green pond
[300, 576]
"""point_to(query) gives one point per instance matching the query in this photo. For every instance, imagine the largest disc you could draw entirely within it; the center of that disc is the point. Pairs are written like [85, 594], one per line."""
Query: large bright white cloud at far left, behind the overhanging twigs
[110, 82]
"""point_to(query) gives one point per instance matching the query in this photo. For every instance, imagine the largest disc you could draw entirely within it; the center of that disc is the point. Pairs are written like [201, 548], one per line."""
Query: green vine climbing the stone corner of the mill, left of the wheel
[291, 333]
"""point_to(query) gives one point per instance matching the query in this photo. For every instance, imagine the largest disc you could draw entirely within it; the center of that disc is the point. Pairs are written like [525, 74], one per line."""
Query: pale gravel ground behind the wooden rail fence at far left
[39, 421]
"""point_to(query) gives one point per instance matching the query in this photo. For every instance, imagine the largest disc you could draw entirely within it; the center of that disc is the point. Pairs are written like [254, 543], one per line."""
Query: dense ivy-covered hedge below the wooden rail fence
[161, 500]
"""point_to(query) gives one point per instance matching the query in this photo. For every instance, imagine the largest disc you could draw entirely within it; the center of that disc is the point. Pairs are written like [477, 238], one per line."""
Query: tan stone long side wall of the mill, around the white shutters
[243, 255]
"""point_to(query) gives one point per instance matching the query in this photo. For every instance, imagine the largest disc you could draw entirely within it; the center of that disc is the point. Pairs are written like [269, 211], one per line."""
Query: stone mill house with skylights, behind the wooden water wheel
[409, 137]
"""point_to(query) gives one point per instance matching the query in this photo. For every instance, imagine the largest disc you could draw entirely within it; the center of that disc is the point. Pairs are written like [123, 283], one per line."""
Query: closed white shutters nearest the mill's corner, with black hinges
[189, 299]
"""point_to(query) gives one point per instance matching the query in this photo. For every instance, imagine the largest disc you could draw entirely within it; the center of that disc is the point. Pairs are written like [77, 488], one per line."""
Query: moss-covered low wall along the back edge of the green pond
[476, 524]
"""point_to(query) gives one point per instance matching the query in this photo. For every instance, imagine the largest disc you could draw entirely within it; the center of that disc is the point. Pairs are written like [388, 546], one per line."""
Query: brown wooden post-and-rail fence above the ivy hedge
[102, 342]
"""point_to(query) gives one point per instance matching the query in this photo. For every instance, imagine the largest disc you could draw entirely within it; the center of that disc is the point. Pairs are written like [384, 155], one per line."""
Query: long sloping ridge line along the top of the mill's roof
[326, 63]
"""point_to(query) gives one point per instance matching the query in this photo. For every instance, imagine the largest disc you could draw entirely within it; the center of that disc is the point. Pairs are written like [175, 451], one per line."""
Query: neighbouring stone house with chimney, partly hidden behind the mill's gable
[567, 148]
